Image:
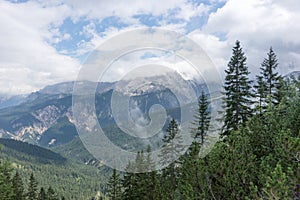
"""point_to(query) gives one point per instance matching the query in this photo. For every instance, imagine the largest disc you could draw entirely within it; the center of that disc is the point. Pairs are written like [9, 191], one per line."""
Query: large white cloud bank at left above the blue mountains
[27, 61]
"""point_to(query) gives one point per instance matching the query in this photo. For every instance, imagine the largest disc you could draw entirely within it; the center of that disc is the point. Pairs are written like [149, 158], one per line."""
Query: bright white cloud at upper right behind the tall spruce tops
[259, 24]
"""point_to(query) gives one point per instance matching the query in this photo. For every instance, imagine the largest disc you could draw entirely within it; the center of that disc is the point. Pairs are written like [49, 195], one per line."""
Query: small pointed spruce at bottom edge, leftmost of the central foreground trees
[114, 186]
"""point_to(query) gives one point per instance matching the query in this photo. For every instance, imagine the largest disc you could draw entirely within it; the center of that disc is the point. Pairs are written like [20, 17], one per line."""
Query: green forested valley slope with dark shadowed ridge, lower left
[67, 178]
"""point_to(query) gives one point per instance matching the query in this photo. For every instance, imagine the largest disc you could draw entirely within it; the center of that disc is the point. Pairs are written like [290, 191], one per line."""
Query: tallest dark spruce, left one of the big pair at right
[237, 93]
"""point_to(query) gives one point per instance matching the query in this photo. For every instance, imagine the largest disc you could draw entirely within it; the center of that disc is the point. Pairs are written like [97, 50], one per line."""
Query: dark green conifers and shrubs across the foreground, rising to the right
[257, 157]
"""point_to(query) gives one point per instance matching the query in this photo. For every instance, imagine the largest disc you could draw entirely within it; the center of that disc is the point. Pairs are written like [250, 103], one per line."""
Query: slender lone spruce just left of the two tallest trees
[201, 119]
